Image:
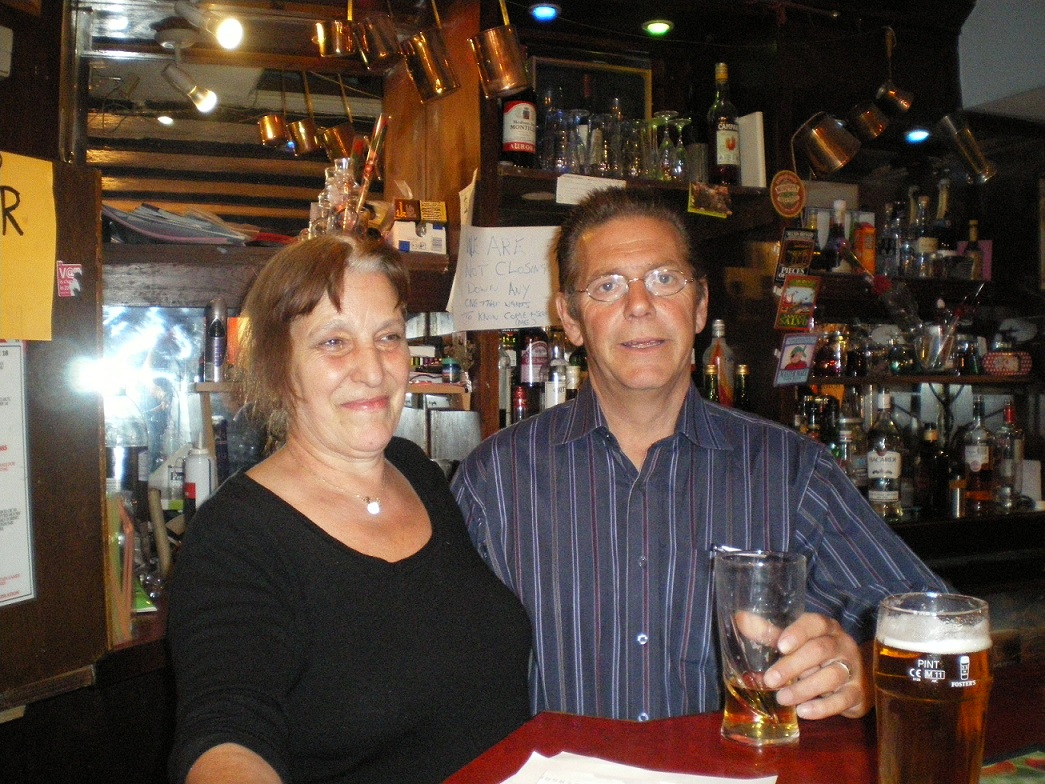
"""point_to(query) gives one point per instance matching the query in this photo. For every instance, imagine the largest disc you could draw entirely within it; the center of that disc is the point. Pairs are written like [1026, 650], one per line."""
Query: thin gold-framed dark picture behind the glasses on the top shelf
[594, 86]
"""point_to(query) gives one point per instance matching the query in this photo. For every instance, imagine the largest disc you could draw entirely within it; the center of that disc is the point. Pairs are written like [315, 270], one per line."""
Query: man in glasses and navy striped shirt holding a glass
[602, 514]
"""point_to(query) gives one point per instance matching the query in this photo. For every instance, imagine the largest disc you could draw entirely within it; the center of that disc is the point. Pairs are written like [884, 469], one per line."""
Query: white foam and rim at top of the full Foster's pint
[935, 627]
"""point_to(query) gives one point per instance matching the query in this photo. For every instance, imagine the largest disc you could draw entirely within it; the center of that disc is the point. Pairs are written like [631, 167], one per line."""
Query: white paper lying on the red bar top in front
[573, 769]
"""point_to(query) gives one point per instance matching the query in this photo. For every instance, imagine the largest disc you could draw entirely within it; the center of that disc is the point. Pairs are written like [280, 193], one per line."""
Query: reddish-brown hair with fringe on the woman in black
[292, 285]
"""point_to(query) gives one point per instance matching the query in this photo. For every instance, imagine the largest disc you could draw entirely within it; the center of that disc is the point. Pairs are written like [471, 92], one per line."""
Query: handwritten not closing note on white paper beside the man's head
[506, 278]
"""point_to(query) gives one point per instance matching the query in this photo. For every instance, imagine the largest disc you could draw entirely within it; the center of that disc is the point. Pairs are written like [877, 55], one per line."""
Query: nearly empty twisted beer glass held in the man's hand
[757, 596]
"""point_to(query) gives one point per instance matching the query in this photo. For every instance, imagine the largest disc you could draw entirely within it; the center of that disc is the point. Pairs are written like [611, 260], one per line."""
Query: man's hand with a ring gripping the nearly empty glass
[827, 674]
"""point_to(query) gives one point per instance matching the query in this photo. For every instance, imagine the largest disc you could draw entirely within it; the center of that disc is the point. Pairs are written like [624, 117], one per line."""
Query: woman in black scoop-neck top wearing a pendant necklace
[330, 618]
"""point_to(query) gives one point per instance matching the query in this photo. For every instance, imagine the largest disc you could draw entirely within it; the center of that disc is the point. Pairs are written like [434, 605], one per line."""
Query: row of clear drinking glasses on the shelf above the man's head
[576, 142]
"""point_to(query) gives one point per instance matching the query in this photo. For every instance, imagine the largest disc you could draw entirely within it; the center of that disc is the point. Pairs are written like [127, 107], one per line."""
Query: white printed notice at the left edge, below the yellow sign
[16, 540]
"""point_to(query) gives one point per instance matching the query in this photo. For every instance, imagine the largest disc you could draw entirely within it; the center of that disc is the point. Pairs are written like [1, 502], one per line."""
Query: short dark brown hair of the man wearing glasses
[603, 206]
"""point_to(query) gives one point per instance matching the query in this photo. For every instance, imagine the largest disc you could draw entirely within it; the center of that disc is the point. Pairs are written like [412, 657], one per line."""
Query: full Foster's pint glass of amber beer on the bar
[933, 678]
